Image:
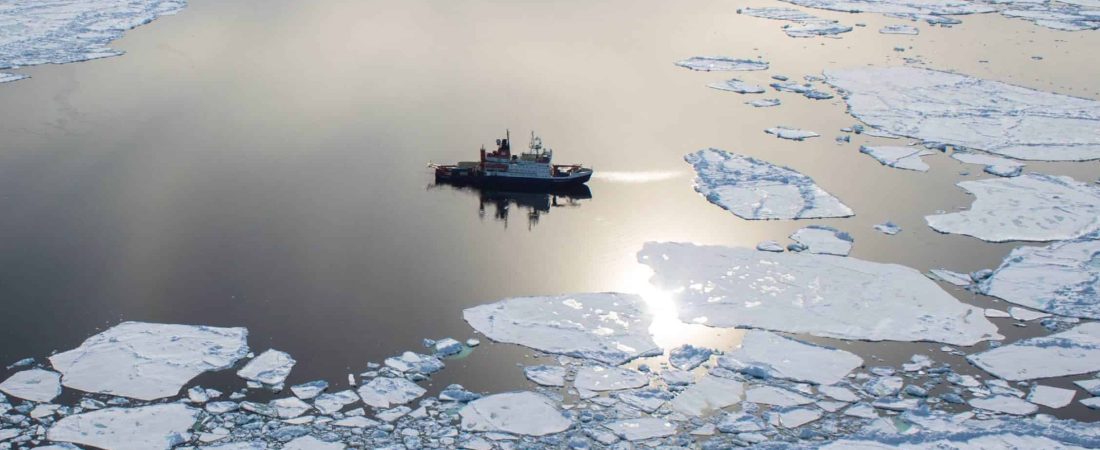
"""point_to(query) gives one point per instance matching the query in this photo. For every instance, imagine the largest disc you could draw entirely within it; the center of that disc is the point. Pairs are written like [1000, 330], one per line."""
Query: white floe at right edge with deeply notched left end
[1031, 207]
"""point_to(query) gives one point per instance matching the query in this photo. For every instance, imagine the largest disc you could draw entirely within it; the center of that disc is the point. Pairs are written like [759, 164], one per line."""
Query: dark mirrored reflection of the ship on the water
[535, 203]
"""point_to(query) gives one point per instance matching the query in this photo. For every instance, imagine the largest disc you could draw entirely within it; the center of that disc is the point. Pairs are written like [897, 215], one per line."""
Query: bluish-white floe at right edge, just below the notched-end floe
[1063, 278]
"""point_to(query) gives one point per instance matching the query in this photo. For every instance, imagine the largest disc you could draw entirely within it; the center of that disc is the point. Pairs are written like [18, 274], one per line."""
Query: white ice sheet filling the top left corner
[69, 31]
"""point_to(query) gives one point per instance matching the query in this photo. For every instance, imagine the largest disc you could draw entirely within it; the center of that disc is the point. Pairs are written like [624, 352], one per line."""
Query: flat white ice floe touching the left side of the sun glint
[607, 327]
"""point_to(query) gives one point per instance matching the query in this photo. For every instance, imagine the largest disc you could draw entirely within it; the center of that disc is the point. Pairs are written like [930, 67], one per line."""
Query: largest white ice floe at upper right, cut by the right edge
[972, 113]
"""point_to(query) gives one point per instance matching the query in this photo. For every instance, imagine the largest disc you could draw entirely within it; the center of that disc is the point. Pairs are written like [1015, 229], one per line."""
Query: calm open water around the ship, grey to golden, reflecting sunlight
[263, 164]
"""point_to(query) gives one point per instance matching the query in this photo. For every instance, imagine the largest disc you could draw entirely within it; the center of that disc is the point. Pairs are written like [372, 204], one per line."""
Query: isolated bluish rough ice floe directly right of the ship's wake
[756, 190]
